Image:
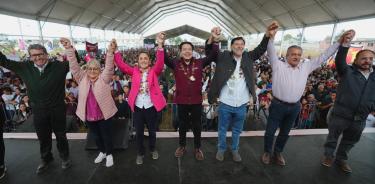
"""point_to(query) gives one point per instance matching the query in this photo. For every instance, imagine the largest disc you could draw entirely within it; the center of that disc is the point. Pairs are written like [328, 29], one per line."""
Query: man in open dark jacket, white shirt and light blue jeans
[233, 83]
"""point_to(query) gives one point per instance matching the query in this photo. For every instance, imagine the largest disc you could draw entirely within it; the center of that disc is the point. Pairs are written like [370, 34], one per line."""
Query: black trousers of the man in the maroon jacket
[190, 116]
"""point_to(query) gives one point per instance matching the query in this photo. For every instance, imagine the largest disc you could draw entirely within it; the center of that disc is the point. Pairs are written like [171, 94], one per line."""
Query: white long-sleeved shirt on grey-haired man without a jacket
[288, 83]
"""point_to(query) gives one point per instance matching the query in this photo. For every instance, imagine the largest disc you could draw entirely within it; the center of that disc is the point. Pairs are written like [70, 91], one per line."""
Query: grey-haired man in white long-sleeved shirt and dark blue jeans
[288, 83]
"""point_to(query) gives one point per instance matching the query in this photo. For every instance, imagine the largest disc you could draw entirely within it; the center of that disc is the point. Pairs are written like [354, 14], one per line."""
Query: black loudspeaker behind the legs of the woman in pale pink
[120, 135]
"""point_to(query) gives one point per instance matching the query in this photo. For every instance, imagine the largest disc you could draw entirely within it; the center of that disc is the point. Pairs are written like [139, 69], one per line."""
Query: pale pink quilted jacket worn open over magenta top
[101, 88]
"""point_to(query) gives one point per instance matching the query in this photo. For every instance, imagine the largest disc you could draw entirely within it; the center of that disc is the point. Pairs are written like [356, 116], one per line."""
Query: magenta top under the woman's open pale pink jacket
[93, 112]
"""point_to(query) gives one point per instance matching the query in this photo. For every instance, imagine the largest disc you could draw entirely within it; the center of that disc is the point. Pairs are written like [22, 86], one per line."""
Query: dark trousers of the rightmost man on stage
[351, 133]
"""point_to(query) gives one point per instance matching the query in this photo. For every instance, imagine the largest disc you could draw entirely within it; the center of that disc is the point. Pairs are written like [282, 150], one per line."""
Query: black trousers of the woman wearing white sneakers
[102, 132]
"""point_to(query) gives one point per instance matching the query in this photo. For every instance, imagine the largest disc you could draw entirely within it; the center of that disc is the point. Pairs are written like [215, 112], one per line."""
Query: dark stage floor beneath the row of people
[302, 153]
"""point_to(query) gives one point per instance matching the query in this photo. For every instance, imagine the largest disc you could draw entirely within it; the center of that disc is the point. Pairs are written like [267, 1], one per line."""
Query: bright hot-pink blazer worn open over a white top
[156, 95]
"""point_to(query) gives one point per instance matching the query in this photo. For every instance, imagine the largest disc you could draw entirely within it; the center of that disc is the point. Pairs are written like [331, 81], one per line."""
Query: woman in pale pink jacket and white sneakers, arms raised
[95, 103]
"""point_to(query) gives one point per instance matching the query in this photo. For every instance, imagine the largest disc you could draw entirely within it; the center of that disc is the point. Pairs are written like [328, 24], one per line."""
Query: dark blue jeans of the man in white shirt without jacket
[281, 115]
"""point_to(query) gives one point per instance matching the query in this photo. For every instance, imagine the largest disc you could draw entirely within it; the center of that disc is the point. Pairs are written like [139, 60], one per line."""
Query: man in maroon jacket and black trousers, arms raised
[188, 71]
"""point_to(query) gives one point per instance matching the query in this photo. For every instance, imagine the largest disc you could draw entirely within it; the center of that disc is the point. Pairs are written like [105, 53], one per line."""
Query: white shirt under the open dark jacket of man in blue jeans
[235, 92]
